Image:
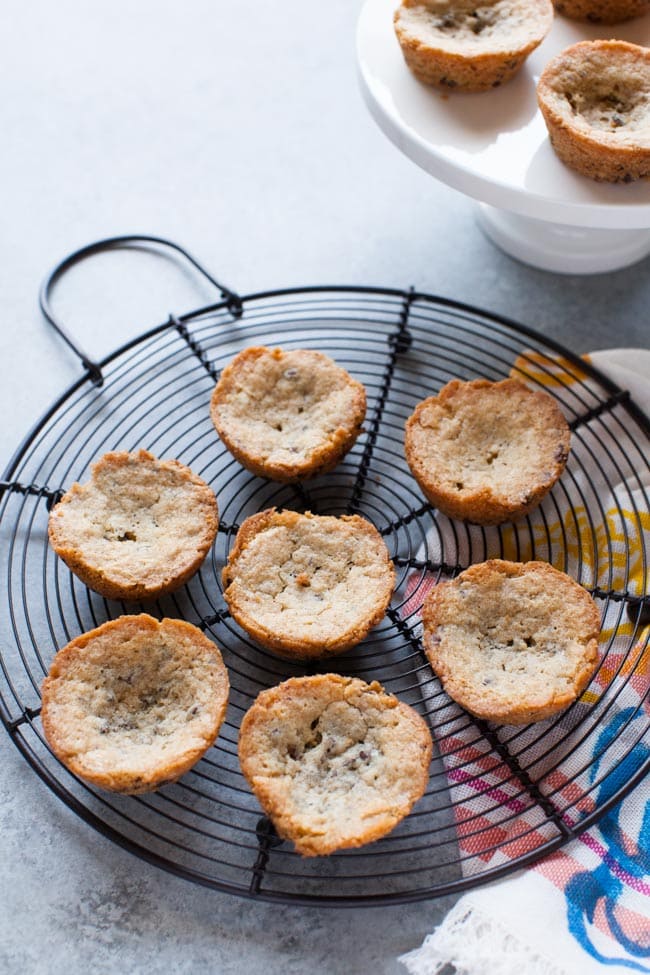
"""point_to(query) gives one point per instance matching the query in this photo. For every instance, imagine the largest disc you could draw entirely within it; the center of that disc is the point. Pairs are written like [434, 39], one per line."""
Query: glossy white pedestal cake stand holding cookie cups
[494, 147]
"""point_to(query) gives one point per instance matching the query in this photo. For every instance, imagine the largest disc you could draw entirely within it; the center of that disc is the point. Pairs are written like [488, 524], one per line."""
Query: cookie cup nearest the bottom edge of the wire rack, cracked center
[334, 762]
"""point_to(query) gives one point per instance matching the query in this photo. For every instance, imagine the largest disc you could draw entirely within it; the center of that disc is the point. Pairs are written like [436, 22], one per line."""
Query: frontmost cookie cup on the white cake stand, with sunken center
[595, 99]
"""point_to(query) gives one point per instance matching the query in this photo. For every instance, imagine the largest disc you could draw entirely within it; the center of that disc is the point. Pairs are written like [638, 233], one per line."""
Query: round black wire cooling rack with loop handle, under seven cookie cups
[498, 798]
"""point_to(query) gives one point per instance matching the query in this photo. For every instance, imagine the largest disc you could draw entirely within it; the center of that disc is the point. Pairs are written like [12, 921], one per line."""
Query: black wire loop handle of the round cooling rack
[231, 298]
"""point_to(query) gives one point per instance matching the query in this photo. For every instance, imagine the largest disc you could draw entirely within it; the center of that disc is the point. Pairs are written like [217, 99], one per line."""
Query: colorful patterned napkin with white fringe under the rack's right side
[587, 905]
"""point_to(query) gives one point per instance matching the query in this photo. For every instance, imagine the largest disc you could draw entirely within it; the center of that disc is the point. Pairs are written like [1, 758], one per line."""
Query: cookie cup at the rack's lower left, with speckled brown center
[134, 704]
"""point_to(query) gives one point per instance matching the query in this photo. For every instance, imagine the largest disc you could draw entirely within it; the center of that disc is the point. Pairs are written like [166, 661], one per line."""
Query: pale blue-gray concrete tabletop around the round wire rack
[237, 130]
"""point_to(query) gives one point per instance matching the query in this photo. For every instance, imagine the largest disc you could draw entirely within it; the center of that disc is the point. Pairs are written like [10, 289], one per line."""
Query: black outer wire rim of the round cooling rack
[462, 884]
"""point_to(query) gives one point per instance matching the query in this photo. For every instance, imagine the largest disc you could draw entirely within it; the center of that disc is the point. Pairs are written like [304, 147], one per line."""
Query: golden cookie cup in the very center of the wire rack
[308, 586]
